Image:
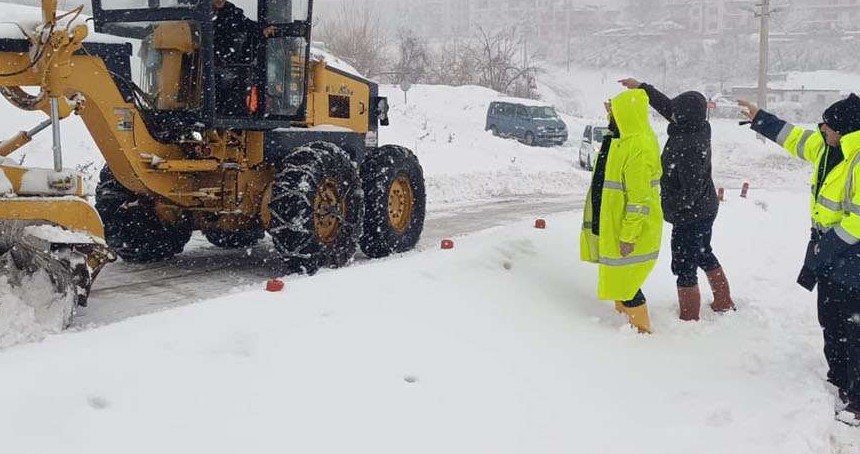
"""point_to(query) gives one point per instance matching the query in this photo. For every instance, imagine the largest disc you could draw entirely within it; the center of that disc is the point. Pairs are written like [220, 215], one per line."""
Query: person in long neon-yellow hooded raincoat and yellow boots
[623, 220]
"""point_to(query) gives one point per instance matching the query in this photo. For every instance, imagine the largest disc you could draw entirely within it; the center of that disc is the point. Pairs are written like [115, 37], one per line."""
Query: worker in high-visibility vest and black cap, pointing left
[833, 257]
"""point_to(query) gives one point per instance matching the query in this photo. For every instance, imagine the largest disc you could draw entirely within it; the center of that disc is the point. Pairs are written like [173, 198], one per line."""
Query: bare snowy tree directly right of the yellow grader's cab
[354, 33]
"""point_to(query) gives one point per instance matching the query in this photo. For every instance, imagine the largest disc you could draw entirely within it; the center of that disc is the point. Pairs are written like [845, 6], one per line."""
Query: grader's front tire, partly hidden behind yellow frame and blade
[132, 228]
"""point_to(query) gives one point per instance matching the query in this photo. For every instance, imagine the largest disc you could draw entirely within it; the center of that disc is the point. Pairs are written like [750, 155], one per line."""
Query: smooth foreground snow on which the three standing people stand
[496, 346]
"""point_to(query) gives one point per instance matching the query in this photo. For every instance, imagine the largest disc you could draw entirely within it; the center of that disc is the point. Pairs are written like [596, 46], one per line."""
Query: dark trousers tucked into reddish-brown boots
[691, 250]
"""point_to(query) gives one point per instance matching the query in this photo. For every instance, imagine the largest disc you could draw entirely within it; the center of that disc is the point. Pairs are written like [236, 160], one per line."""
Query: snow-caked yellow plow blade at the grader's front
[57, 239]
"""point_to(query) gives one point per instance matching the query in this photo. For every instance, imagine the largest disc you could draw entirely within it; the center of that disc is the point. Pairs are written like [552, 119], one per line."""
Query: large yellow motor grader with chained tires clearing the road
[279, 141]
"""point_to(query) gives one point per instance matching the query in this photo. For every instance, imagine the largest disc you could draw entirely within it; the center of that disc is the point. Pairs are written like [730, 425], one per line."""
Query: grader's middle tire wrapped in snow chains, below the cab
[317, 208]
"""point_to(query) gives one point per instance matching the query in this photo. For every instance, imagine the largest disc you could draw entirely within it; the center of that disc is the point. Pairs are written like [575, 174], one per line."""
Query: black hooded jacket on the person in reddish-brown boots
[687, 186]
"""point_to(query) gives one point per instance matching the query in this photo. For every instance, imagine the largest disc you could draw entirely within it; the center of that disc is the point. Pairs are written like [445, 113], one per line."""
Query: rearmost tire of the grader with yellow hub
[395, 201]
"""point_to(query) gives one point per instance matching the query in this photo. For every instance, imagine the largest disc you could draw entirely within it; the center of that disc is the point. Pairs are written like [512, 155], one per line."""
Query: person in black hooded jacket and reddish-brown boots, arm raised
[689, 198]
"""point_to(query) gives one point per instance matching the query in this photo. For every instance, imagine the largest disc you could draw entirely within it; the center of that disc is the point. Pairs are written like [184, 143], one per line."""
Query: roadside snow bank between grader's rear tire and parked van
[462, 162]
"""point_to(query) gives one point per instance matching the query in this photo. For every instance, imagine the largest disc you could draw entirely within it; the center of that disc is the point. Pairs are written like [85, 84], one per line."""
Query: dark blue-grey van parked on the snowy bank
[531, 124]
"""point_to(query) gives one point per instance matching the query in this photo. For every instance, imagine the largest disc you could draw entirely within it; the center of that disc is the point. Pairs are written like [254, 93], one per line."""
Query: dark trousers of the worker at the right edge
[839, 315]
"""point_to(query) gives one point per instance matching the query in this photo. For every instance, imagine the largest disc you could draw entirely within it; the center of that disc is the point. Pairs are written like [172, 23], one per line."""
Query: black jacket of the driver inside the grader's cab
[237, 38]
